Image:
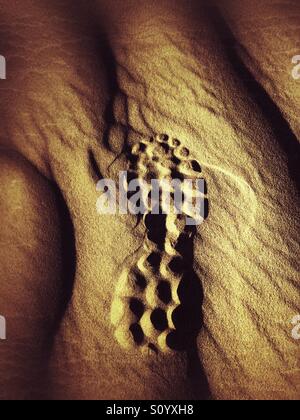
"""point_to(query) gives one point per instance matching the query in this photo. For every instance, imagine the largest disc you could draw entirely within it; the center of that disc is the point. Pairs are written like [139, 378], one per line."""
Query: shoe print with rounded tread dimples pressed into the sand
[158, 299]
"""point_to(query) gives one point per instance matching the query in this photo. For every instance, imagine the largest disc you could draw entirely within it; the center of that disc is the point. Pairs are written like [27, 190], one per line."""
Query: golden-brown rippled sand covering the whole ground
[87, 82]
